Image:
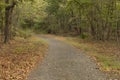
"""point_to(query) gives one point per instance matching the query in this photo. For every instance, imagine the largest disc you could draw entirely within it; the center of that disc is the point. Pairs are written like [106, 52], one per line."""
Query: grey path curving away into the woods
[64, 62]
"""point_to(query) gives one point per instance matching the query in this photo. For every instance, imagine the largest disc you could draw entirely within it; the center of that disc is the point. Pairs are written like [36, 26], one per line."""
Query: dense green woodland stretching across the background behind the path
[95, 19]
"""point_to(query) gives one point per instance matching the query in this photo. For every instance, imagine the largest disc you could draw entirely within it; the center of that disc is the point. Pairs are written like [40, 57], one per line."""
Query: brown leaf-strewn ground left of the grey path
[18, 57]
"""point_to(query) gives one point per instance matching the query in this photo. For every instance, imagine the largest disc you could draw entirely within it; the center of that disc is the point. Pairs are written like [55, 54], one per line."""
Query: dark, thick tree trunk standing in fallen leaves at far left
[10, 5]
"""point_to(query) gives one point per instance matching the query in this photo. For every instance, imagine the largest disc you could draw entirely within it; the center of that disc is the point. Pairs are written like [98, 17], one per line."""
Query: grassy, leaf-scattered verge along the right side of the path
[107, 55]
